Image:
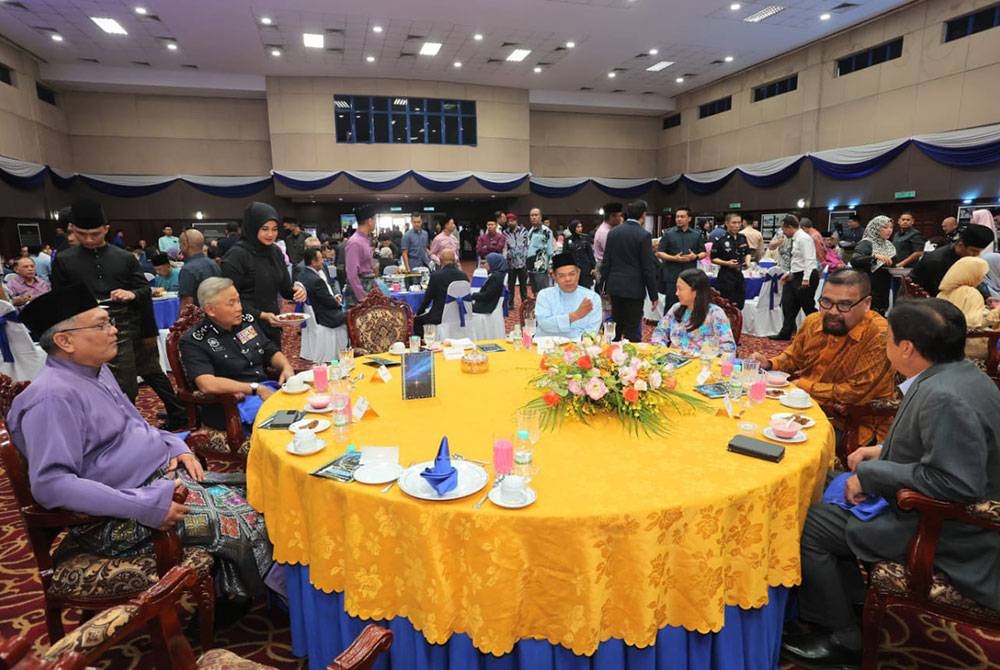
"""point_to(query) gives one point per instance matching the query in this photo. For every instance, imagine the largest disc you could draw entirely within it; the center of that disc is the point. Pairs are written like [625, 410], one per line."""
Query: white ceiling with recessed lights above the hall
[595, 46]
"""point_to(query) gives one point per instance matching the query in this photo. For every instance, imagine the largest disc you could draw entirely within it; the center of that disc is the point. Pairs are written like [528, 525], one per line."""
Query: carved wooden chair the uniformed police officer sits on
[229, 445]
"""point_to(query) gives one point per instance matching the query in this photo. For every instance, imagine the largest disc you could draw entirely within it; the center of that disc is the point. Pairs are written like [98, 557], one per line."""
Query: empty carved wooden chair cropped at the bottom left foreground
[155, 611]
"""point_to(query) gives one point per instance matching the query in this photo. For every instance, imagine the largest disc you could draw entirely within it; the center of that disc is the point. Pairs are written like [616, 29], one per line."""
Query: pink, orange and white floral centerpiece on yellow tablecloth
[586, 378]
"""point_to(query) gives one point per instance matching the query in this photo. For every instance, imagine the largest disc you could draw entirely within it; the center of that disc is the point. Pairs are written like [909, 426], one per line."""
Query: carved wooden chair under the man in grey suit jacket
[913, 616]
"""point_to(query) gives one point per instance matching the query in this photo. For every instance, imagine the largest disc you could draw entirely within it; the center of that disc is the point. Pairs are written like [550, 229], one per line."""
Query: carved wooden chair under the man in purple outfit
[88, 581]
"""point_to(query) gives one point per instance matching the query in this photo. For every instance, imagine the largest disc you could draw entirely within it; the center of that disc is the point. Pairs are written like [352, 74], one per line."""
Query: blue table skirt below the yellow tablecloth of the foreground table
[749, 640]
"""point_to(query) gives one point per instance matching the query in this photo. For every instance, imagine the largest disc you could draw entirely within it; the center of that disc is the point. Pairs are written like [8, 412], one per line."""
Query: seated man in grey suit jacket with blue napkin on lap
[944, 443]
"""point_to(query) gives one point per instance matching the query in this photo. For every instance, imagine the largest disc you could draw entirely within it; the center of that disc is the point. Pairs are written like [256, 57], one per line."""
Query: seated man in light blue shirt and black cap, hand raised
[567, 309]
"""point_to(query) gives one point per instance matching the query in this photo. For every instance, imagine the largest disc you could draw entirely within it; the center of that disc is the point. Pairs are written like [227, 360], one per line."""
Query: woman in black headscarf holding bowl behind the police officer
[257, 268]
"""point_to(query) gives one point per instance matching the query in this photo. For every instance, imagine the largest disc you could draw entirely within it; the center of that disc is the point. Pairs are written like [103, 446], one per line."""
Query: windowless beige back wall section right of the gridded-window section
[599, 145]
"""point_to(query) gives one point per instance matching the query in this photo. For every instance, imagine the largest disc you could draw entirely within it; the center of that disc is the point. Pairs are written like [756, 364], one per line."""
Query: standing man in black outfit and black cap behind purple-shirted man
[113, 275]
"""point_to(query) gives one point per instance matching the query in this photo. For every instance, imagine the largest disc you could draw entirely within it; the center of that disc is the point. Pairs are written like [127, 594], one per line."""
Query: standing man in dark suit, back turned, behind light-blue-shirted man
[628, 272]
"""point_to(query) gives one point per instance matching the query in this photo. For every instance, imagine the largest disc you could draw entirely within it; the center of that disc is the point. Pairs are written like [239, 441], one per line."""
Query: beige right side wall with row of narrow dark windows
[934, 87]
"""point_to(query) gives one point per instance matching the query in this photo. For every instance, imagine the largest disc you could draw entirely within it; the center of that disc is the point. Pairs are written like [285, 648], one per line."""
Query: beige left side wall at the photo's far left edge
[30, 129]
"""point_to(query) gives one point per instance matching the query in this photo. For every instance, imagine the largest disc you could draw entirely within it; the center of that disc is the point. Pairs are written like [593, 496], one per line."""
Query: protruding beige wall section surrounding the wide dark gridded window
[300, 110]
